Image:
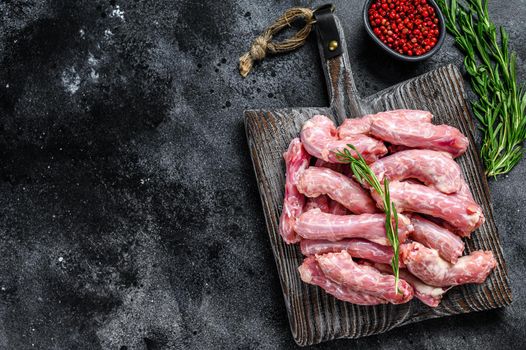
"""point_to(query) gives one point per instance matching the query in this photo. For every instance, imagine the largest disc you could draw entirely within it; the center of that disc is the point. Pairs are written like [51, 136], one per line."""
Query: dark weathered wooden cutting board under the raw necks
[315, 316]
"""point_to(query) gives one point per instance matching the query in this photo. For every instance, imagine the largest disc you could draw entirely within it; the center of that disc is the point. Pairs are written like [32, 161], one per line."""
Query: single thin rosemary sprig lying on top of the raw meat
[363, 173]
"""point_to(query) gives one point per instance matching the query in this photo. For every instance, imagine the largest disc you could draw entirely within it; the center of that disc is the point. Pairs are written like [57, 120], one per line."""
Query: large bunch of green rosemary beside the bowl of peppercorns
[501, 105]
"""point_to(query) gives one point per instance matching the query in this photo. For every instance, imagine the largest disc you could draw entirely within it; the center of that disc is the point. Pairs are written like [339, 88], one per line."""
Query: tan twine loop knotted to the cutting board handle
[263, 44]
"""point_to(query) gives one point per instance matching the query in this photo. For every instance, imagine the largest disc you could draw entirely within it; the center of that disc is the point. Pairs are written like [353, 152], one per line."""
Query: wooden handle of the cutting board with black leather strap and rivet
[343, 96]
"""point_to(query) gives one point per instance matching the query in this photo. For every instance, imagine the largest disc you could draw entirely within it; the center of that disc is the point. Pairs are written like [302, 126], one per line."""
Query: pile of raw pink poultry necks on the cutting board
[339, 223]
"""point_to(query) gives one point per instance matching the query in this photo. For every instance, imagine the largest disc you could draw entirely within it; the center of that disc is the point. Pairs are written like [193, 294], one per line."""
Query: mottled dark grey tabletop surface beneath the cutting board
[129, 212]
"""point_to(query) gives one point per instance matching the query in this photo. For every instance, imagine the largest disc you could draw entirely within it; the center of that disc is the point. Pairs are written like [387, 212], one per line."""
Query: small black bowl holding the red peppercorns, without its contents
[440, 41]
